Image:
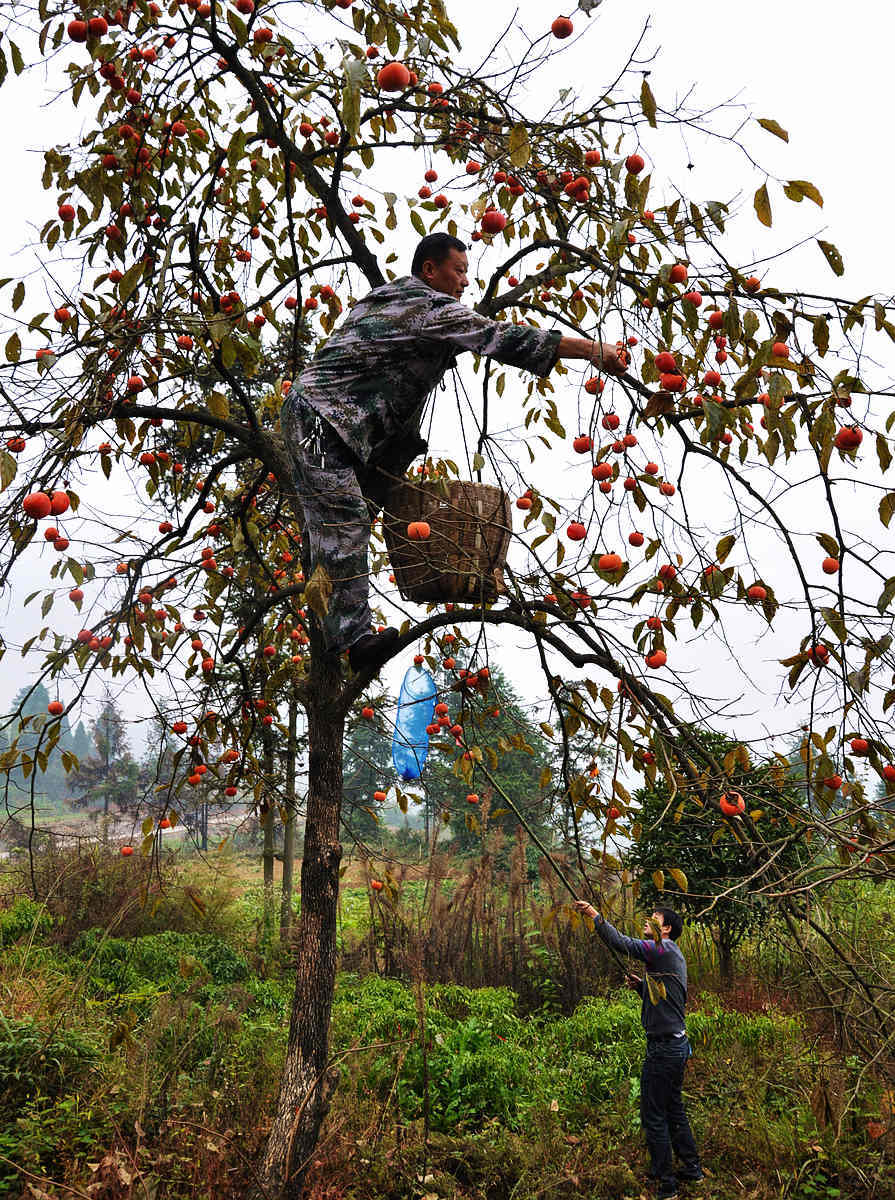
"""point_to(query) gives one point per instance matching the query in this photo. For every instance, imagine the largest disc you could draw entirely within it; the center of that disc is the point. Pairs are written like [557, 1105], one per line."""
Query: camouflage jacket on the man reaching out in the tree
[371, 380]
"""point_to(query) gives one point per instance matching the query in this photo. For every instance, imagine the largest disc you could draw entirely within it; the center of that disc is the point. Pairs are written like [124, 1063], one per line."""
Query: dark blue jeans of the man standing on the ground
[665, 1123]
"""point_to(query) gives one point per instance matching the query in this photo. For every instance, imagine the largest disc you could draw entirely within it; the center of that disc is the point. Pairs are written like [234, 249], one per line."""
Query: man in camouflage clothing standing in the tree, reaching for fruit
[352, 421]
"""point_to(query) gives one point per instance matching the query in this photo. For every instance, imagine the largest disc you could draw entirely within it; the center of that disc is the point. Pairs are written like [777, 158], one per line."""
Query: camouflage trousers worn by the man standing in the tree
[340, 499]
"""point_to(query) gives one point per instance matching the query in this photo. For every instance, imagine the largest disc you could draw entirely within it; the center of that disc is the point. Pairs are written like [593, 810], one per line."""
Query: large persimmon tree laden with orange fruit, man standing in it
[242, 176]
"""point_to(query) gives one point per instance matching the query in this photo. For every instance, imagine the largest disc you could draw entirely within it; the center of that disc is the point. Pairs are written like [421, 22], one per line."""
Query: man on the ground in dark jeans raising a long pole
[665, 1121]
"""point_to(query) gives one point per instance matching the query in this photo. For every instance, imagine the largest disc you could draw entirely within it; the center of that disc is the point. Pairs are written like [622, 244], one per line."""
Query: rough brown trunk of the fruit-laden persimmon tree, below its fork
[308, 1085]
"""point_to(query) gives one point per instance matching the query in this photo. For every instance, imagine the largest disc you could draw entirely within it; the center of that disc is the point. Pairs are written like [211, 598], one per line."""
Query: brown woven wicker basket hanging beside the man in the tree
[464, 557]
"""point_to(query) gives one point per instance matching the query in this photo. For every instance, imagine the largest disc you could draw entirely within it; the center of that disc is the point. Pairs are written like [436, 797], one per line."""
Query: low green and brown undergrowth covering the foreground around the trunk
[157, 1060]
